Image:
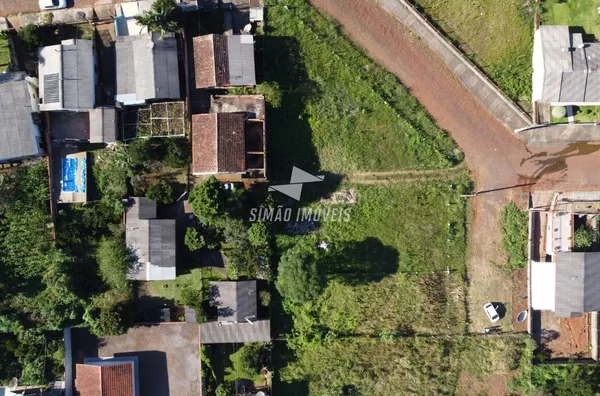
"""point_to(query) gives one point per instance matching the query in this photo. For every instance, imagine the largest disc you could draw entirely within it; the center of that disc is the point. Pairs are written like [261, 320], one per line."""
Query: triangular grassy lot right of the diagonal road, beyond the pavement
[496, 35]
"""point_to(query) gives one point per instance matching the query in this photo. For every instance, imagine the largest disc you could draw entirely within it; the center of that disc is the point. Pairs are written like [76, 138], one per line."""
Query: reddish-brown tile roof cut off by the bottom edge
[111, 380]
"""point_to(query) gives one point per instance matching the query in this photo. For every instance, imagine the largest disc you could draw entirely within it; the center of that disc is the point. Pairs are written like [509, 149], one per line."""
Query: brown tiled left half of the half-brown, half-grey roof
[211, 61]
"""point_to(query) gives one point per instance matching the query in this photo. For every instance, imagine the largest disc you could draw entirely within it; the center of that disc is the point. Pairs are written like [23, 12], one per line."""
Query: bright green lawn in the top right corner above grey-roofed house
[582, 13]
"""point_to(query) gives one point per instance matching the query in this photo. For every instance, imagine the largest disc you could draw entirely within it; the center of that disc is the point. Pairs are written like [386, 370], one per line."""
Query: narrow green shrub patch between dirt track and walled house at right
[515, 230]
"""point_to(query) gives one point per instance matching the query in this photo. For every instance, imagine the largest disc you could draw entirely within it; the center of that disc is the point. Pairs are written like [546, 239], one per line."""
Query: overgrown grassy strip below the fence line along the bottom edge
[415, 366]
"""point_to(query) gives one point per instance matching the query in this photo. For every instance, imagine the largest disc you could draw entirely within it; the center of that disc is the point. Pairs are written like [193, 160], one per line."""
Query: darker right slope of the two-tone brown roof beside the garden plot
[231, 143]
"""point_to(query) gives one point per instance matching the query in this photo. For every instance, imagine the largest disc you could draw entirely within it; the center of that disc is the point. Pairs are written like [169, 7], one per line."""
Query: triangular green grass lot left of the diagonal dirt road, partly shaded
[339, 111]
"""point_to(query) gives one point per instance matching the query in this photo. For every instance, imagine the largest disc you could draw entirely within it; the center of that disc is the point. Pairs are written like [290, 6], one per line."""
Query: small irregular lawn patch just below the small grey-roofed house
[197, 279]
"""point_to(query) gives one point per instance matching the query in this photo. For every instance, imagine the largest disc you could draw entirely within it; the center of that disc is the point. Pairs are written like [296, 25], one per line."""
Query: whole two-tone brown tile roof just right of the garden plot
[218, 143]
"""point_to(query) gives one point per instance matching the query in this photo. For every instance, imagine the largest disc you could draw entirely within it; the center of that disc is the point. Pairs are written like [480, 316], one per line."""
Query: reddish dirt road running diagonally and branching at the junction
[495, 157]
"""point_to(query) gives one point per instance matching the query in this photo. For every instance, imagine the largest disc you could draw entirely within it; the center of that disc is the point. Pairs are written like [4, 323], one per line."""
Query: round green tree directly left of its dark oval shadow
[298, 279]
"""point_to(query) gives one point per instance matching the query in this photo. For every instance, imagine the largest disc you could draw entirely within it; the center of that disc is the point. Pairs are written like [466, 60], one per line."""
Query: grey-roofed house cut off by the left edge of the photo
[20, 136]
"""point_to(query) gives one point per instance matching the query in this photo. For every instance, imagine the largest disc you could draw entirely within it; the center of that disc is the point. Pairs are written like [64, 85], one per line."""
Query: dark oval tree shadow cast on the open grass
[359, 262]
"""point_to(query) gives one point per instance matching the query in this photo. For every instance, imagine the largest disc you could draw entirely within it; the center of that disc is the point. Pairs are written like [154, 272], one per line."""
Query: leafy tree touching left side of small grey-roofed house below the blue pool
[114, 260]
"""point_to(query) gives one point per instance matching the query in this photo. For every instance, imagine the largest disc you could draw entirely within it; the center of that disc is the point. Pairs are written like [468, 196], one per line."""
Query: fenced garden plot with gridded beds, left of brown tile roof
[156, 120]
